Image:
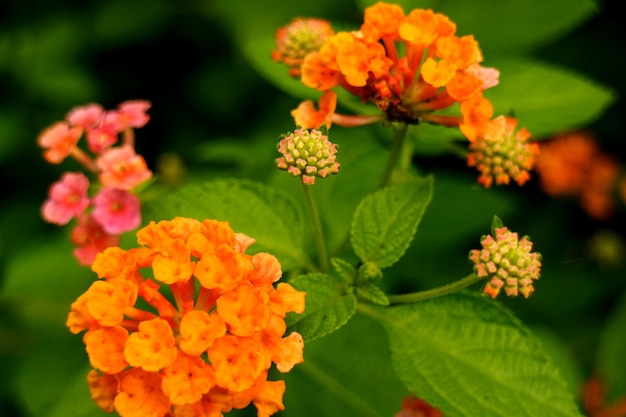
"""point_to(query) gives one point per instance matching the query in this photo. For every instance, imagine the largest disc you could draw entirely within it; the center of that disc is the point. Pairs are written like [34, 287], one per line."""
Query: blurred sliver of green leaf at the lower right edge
[611, 350]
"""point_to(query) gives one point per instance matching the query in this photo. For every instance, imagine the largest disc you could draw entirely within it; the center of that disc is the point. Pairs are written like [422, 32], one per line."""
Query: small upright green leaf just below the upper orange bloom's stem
[386, 221]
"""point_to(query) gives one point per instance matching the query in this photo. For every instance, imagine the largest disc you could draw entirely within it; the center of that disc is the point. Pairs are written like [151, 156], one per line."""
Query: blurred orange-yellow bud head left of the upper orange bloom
[298, 39]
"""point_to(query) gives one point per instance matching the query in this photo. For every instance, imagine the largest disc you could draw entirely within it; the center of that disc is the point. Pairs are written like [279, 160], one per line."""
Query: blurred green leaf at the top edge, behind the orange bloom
[508, 27]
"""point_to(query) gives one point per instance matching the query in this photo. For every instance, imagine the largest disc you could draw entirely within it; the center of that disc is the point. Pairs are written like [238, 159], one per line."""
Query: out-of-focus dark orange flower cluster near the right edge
[573, 165]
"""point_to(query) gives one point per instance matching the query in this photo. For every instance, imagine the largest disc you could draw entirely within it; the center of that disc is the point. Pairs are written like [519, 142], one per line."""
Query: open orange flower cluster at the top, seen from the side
[409, 65]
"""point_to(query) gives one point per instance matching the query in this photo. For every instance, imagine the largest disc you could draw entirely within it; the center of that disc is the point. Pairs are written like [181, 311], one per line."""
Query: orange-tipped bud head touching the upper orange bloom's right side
[503, 154]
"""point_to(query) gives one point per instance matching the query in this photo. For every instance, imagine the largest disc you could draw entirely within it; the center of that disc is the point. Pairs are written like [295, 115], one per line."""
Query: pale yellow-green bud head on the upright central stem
[307, 154]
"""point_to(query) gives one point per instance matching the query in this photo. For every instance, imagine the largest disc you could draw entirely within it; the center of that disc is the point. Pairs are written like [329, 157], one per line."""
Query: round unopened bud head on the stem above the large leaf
[506, 262]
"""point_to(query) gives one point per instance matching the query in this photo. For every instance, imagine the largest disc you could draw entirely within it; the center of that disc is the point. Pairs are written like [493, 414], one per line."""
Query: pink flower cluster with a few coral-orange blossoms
[111, 159]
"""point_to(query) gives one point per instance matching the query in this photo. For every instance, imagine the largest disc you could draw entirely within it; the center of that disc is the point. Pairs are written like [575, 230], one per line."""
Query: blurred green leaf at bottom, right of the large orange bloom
[347, 373]
